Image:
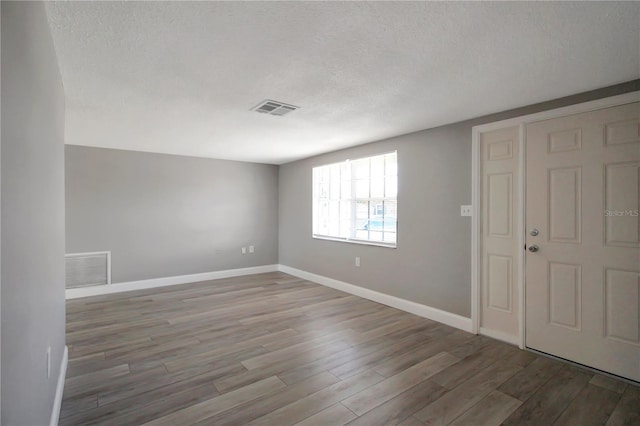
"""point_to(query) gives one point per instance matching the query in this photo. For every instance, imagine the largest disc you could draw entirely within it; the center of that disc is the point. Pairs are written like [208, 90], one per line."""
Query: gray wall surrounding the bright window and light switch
[432, 263]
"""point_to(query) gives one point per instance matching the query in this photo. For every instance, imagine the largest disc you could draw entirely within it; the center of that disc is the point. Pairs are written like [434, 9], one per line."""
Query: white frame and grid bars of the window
[352, 200]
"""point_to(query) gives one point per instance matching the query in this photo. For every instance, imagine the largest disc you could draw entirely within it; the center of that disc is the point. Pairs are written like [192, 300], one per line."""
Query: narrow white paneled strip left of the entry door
[499, 230]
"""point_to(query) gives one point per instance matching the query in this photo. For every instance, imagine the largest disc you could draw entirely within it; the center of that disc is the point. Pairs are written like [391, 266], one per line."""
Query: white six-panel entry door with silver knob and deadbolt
[583, 258]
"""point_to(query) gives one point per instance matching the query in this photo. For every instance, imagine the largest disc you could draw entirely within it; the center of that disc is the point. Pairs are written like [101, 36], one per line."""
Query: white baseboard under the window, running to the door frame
[448, 318]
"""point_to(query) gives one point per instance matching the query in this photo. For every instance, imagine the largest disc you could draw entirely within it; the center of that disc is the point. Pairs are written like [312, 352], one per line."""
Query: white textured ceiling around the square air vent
[180, 78]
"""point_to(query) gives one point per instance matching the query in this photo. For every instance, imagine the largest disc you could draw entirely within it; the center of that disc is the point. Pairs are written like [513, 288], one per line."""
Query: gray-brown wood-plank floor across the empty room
[271, 349]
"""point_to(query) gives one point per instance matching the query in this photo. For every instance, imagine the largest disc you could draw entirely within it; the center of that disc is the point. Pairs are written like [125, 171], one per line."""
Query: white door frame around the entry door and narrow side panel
[476, 193]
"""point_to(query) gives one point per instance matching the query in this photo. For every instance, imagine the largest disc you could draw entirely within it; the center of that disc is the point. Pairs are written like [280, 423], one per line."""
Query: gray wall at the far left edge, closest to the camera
[33, 305]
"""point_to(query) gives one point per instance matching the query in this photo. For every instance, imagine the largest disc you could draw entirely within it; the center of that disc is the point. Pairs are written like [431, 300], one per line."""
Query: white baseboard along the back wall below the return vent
[74, 293]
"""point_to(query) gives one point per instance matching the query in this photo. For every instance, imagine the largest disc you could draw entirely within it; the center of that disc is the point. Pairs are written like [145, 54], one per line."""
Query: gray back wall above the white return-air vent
[165, 215]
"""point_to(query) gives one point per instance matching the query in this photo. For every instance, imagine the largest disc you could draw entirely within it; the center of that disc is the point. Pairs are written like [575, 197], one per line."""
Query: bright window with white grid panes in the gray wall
[356, 200]
